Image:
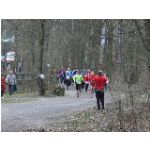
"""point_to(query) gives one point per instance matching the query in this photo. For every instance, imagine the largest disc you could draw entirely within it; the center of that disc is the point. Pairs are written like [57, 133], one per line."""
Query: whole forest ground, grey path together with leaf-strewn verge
[69, 113]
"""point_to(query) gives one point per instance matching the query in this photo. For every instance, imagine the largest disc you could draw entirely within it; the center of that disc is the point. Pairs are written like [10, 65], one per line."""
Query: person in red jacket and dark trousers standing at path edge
[100, 82]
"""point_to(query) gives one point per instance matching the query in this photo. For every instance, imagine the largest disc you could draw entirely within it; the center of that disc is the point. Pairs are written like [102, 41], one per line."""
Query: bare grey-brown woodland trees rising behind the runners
[120, 47]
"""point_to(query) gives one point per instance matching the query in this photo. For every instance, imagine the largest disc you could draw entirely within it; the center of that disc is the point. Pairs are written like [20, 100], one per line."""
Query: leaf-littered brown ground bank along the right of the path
[109, 120]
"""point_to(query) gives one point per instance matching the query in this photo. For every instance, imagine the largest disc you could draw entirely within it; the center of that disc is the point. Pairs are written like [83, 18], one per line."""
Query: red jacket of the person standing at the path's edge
[100, 82]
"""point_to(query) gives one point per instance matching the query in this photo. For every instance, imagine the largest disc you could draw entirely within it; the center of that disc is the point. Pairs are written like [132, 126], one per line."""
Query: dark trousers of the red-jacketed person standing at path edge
[100, 99]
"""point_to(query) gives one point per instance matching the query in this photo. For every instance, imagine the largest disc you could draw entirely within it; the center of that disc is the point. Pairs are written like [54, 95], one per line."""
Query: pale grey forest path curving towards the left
[40, 113]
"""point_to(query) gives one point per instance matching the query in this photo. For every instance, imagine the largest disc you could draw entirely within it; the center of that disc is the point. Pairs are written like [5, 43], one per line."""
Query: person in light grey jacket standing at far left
[11, 81]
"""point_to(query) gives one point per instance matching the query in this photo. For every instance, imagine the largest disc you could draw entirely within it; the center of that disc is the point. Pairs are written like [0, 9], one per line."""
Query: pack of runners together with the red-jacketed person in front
[87, 80]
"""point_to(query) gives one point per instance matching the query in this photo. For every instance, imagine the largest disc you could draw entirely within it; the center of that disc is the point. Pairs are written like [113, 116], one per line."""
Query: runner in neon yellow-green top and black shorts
[78, 79]
